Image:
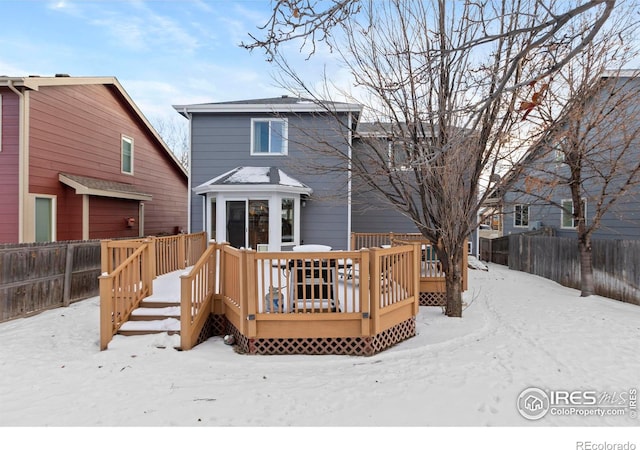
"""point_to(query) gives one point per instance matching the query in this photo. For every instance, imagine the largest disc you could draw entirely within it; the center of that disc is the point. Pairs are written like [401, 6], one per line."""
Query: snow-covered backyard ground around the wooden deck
[519, 331]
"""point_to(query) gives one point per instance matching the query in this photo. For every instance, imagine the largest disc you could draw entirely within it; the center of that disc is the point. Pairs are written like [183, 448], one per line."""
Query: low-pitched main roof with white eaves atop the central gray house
[280, 104]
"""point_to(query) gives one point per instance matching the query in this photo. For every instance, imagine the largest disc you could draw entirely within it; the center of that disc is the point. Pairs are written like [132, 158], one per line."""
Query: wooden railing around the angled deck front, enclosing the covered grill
[313, 294]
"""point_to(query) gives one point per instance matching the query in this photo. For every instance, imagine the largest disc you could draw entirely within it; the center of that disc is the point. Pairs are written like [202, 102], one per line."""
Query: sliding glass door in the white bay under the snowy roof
[248, 223]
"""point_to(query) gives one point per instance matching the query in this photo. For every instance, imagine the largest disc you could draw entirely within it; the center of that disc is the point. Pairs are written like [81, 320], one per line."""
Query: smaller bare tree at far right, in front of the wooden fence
[593, 153]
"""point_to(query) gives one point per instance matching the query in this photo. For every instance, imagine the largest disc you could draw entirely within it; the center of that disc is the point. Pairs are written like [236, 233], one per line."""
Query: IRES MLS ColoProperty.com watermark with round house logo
[535, 403]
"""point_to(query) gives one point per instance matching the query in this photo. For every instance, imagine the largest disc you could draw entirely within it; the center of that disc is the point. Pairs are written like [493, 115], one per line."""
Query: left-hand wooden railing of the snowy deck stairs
[122, 290]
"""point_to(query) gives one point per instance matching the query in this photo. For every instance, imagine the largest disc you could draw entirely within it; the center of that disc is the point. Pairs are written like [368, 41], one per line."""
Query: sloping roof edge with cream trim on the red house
[35, 82]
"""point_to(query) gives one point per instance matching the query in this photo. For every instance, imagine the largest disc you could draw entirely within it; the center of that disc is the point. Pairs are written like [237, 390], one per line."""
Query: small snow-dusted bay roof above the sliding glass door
[270, 179]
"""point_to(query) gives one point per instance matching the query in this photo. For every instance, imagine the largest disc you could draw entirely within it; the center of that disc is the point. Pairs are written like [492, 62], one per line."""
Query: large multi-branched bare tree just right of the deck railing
[449, 82]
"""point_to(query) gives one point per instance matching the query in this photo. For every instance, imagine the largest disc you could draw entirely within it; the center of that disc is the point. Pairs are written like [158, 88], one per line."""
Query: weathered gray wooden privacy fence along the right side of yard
[616, 263]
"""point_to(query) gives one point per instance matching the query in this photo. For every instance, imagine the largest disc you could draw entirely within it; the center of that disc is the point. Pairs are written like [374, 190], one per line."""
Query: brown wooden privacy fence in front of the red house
[36, 277]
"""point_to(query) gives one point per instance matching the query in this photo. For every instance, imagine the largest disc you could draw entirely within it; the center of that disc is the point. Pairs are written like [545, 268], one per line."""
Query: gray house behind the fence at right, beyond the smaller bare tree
[540, 195]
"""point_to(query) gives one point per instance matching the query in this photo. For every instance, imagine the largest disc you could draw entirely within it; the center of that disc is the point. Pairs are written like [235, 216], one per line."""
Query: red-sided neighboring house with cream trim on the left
[78, 160]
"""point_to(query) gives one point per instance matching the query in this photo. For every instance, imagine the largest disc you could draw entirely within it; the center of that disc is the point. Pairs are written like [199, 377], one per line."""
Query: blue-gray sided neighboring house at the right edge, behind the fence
[551, 206]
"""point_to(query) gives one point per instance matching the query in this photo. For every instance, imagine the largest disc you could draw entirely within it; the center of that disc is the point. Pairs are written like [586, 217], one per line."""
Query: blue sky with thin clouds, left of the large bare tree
[163, 52]
